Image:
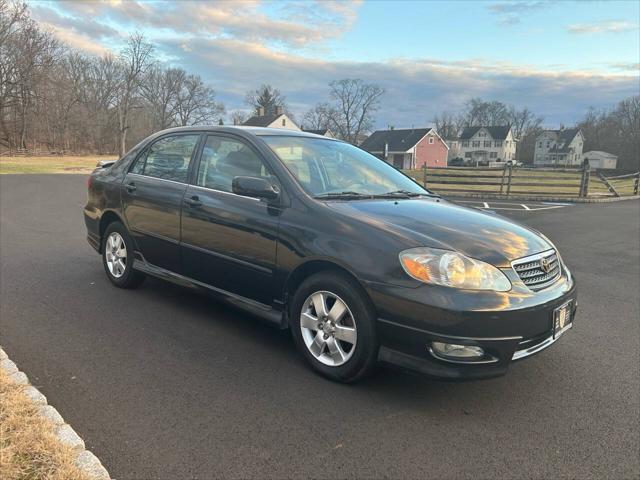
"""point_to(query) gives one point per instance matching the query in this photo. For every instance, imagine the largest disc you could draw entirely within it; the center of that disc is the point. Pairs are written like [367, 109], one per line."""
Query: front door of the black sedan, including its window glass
[229, 241]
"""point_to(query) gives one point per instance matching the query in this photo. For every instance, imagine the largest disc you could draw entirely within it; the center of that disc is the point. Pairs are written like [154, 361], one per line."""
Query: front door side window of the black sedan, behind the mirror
[224, 158]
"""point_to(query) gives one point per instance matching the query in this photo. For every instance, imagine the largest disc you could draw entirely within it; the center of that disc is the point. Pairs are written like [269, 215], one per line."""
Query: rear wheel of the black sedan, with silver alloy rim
[117, 257]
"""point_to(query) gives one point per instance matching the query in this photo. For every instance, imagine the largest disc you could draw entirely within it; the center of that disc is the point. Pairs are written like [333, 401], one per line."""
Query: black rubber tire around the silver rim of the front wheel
[363, 360]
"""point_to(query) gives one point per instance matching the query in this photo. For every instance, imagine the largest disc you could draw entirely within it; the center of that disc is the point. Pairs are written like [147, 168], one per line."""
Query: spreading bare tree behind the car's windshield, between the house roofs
[354, 103]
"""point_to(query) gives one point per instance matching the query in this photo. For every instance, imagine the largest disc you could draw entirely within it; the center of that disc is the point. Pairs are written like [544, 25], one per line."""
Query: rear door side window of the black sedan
[168, 158]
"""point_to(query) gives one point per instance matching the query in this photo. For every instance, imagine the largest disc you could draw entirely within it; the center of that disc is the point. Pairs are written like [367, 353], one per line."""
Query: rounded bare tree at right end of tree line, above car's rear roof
[197, 104]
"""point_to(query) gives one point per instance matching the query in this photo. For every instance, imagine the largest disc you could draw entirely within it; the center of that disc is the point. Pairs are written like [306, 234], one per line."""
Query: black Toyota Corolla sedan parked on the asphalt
[312, 234]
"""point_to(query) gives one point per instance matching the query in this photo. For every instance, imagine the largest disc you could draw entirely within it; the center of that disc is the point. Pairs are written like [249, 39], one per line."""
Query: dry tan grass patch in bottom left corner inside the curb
[29, 448]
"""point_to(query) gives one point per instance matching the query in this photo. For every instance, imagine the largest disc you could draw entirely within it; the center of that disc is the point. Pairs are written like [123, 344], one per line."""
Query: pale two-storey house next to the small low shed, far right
[559, 147]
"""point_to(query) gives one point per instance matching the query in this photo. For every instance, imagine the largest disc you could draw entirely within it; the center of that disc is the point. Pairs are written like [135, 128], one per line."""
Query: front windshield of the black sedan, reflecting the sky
[330, 168]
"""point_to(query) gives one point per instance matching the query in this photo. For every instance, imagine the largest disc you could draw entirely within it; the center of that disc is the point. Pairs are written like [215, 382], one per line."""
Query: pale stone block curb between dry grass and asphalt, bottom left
[86, 461]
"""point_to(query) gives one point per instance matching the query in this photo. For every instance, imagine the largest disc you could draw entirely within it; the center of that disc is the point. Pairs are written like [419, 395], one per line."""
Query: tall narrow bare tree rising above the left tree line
[135, 60]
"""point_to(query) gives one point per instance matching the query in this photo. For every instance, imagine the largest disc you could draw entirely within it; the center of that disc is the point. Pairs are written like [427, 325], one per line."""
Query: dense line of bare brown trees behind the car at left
[56, 99]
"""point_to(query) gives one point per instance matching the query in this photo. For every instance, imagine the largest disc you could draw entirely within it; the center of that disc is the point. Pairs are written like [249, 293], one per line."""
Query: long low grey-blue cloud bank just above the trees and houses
[415, 90]
